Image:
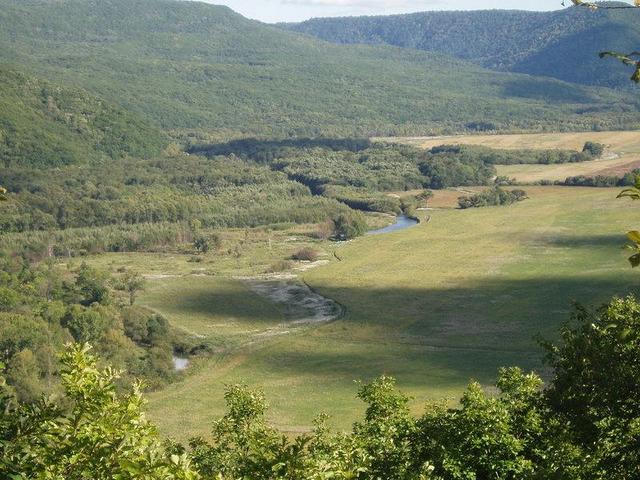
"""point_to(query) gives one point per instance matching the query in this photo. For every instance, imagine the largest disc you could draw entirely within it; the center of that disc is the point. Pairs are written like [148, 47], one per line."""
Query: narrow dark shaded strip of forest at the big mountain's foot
[266, 150]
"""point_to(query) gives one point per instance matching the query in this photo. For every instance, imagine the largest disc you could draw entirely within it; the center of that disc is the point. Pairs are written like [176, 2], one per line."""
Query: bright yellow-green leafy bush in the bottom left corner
[95, 434]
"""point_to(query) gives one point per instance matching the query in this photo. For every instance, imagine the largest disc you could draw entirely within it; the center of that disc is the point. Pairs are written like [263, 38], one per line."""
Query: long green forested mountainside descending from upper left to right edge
[189, 66]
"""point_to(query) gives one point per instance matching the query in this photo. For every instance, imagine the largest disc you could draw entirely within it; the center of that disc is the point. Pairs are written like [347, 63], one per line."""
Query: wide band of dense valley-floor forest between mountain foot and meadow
[128, 204]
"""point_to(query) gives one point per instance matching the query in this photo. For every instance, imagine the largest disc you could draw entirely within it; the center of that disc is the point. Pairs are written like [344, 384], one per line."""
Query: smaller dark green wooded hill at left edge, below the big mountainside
[44, 124]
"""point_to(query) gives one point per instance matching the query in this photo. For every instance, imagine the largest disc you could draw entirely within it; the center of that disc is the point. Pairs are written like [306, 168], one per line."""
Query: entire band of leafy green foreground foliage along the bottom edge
[584, 425]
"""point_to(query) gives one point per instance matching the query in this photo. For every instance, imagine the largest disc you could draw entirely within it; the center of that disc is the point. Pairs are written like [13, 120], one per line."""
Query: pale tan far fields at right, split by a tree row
[622, 155]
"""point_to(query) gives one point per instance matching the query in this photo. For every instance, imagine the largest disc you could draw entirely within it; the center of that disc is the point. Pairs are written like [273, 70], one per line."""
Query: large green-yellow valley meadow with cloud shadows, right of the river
[434, 305]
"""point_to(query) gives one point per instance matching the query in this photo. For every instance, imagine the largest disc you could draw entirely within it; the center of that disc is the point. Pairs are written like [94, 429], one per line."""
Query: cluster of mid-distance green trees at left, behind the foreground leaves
[45, 306]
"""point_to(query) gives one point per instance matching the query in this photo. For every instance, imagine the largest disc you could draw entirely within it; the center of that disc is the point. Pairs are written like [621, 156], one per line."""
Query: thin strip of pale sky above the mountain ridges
[297, 10]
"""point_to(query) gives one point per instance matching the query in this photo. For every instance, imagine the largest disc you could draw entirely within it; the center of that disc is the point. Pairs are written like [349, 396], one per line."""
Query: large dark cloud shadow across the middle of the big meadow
[441, 335]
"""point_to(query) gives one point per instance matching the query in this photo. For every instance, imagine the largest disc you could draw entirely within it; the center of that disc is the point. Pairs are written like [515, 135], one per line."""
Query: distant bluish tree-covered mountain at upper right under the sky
[563, 44]
